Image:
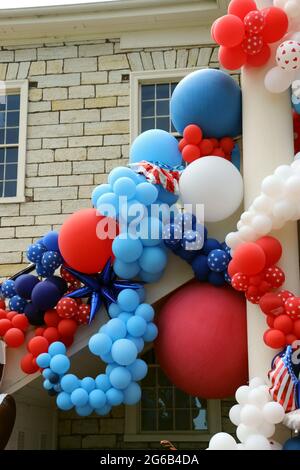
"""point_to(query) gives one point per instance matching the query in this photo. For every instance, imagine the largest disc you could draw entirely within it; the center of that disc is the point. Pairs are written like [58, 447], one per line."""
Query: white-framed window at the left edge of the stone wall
[13, 123]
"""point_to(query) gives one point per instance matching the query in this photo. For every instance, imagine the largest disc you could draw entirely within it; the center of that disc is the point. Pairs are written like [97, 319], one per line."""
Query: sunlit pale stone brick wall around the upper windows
[78, 127]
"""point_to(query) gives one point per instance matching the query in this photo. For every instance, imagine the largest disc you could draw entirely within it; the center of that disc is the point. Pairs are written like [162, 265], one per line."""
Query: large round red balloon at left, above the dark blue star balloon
[79, 241]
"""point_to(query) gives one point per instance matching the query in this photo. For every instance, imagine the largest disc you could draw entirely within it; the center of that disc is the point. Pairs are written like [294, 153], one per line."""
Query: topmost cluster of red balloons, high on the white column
[244, 34]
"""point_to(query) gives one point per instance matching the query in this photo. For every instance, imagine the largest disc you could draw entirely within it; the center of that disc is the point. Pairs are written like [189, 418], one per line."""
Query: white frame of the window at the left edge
[21, 87]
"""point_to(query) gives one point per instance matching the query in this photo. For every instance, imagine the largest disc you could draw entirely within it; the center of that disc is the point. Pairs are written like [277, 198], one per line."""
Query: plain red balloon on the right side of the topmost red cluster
[276, 24]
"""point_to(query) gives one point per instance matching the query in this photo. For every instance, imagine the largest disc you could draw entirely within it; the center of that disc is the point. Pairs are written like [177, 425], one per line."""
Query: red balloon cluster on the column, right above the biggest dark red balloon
[253, 268]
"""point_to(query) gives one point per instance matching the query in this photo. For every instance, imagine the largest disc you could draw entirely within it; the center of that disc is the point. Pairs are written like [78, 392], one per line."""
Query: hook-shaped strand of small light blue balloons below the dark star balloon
[118, 344]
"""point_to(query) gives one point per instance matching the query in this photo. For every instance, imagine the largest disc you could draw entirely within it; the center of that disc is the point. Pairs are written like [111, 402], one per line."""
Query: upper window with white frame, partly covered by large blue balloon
[150, 99]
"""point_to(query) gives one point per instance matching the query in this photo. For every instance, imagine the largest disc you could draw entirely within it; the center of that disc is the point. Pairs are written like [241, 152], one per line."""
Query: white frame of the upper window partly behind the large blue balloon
[144, 78]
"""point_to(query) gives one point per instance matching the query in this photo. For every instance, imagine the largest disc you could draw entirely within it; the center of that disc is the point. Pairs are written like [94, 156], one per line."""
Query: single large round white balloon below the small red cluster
[215, 183]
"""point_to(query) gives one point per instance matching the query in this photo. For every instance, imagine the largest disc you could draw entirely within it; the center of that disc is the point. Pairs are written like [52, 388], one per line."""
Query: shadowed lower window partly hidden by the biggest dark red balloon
[166, 412]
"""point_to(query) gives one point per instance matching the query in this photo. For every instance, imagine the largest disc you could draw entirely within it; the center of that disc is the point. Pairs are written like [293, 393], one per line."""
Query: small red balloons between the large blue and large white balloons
[194, 146]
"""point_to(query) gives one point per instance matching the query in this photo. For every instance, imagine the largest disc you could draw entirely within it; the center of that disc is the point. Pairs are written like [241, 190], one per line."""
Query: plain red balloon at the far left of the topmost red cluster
[229, 31]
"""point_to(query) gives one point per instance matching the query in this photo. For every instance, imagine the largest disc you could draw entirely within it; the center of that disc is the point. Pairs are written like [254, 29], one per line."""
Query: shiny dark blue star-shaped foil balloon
[103, 288]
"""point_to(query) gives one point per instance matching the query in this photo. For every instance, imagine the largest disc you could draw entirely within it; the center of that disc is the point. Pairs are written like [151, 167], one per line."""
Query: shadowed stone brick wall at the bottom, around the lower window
[108, 432]
